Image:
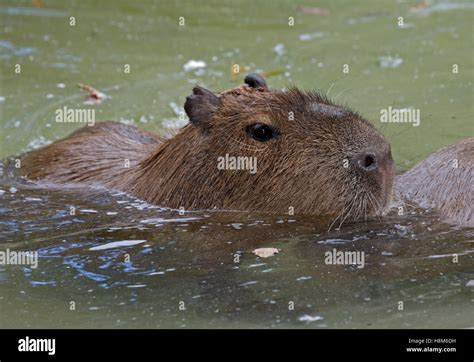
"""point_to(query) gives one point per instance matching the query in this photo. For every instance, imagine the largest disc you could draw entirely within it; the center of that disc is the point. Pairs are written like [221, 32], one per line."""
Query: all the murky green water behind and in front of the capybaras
[192, 261]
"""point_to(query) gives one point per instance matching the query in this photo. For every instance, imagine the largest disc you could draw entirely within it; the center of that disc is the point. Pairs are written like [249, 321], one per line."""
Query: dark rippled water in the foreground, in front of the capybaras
[128, 264]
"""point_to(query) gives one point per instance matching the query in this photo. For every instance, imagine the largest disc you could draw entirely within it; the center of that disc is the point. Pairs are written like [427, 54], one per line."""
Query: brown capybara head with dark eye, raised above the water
[276, 150]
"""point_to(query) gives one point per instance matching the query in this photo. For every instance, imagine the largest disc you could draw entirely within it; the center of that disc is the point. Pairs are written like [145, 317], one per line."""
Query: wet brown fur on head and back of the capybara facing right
[301, 168]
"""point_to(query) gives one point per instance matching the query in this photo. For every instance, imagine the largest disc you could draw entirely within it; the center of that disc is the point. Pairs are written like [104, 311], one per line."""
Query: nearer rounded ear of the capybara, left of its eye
[200, 106]
